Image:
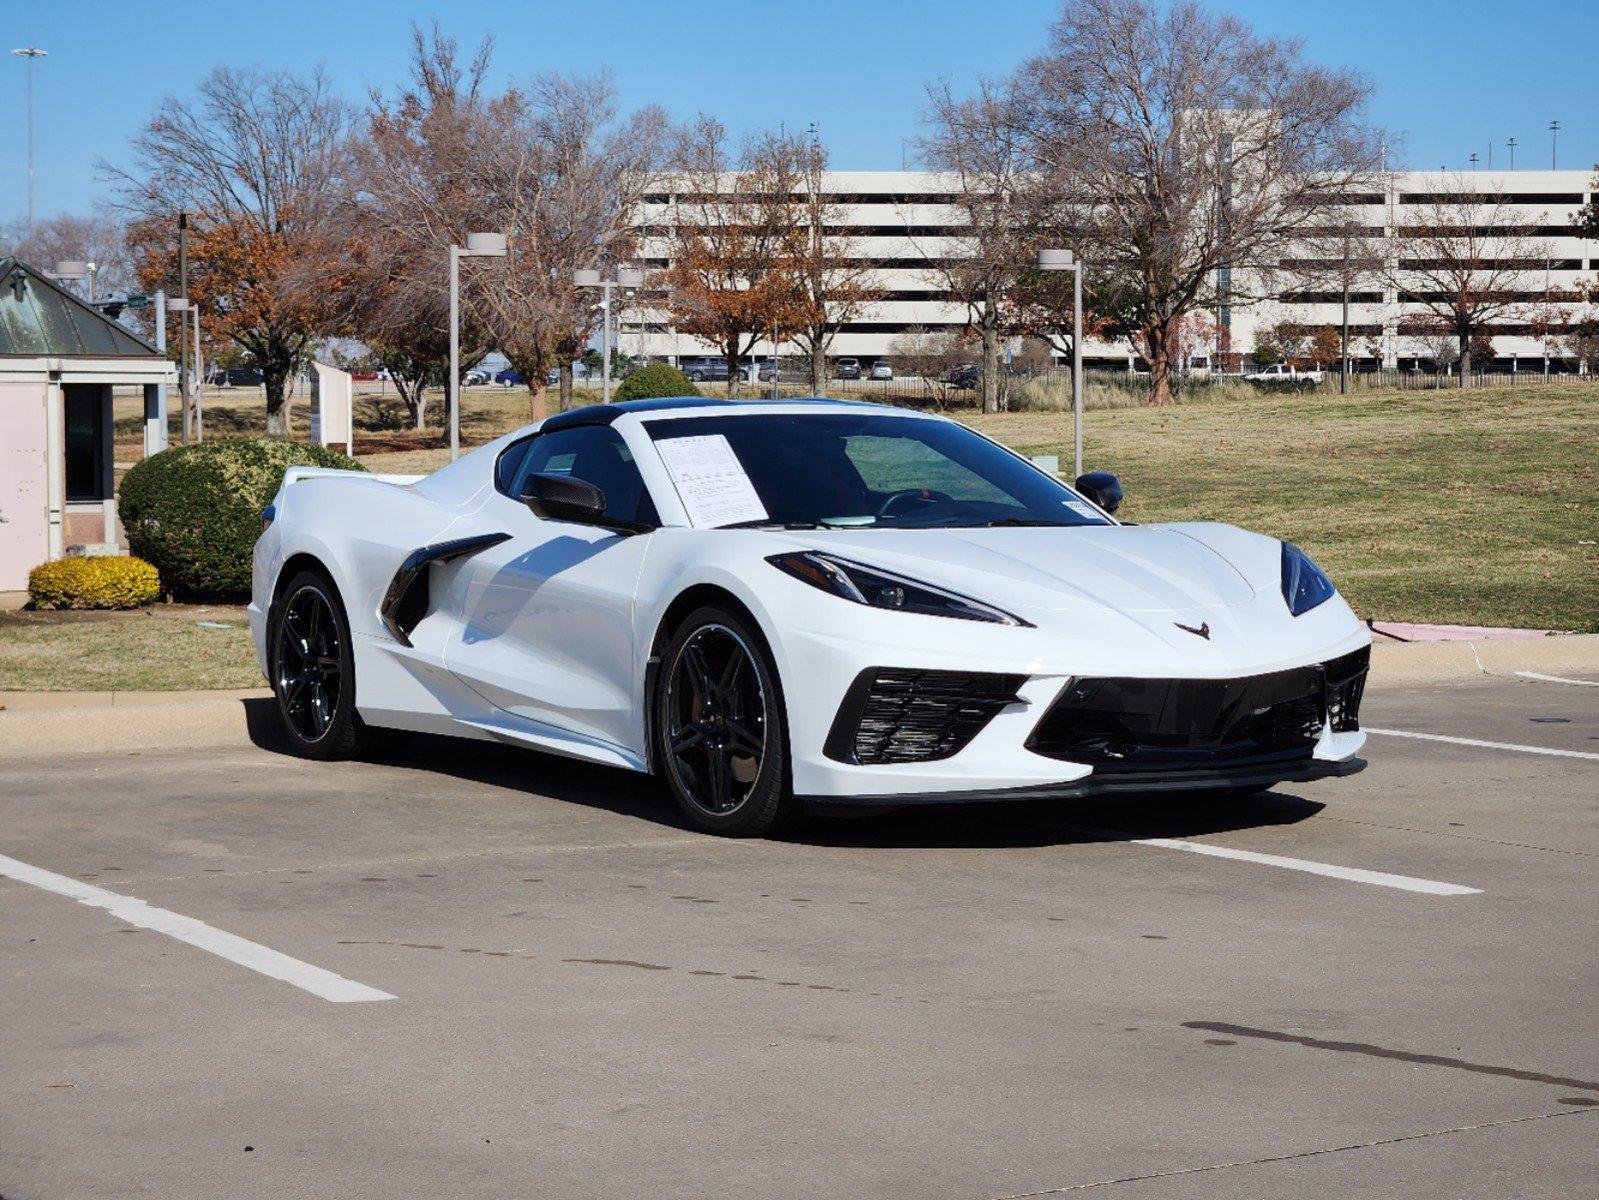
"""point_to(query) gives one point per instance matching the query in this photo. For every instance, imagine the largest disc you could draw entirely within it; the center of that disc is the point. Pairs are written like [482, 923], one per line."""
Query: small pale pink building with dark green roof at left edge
[60, 364]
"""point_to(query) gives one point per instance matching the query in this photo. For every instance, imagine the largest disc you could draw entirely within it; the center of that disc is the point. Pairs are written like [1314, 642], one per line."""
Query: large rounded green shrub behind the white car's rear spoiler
[196, 511]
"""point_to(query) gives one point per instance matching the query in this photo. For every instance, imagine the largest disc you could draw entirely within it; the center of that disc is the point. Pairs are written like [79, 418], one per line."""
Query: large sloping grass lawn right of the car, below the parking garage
[1465, 508]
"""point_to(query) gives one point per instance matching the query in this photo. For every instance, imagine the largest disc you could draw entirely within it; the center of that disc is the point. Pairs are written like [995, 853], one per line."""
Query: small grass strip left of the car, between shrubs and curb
[161, 649]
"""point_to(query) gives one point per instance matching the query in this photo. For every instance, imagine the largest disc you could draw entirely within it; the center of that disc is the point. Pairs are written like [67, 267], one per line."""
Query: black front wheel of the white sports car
[722, 740]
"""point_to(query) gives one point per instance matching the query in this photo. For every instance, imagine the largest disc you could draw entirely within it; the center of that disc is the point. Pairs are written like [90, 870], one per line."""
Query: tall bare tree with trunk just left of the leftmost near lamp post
[415, 196]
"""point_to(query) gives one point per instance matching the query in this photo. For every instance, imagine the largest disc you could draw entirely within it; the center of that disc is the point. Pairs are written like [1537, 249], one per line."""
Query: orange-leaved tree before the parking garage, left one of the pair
[738, 242]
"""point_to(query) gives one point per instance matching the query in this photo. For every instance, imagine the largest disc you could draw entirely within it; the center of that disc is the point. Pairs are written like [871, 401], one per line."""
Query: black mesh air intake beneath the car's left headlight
[895, 716]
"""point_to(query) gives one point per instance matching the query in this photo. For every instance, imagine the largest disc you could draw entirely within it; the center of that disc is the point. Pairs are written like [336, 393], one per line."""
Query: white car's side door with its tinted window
[546, 620]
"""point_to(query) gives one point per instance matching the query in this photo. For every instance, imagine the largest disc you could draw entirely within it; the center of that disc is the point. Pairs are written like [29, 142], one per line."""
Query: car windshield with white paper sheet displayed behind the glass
[869, 471]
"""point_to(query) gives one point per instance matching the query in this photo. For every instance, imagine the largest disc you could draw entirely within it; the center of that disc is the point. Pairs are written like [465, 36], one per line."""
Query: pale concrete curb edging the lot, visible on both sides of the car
[46, 724]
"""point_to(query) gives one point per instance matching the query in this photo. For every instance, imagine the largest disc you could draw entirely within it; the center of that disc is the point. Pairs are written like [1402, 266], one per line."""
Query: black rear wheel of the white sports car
[314, 670]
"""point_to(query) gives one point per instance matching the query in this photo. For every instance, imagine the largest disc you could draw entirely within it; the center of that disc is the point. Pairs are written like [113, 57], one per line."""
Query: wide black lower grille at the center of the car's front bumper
[1142, 726]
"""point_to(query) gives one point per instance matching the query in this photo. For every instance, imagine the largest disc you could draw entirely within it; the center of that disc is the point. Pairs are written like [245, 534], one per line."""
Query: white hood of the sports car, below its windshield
[1130, 569]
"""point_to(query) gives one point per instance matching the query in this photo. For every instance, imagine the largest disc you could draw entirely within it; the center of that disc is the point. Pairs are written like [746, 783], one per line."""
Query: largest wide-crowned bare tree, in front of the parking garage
[1189, 151]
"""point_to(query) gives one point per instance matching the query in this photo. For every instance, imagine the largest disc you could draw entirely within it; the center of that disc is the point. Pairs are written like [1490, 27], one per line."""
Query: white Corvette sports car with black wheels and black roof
[770, 604]
